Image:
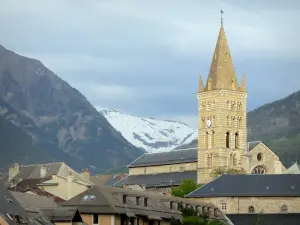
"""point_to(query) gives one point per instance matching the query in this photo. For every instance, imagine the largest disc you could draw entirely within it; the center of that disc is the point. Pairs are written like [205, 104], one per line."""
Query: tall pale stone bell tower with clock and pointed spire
[222, 122]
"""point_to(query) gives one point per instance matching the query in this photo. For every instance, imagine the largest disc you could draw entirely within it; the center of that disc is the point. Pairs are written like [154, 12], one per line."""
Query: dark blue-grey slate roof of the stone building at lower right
[250, 185]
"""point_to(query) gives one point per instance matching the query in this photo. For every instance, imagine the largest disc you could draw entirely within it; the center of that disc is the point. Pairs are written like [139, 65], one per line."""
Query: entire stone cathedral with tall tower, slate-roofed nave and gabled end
[222, 136]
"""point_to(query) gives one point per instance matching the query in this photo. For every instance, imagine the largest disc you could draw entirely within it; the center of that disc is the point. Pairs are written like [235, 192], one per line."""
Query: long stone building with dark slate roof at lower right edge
[238, 194]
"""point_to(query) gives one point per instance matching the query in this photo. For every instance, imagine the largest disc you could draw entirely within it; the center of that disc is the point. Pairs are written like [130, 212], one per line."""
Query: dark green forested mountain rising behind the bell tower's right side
[277, 124]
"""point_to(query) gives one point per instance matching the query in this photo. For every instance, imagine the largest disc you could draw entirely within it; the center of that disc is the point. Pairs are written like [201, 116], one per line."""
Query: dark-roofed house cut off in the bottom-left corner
[12, 213]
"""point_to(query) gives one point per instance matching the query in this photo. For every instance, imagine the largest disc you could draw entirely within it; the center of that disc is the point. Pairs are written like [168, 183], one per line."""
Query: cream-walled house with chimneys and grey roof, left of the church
[58, 179]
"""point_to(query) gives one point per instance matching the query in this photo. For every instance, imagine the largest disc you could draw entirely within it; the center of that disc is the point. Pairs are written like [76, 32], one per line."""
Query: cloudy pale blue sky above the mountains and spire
[144, 57]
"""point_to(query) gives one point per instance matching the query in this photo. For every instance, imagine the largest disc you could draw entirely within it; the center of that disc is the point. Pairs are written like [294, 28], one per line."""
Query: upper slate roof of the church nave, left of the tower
[165, 158]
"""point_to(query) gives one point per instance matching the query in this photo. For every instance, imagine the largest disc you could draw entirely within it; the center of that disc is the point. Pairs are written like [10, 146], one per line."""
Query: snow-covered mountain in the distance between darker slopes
[148, 133]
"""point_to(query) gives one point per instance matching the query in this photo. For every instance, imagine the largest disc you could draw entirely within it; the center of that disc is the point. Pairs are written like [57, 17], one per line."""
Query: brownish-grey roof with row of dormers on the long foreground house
[109, 200]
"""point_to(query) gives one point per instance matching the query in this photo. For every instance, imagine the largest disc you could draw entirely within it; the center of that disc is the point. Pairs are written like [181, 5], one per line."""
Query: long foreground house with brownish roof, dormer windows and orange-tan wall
[108, 205]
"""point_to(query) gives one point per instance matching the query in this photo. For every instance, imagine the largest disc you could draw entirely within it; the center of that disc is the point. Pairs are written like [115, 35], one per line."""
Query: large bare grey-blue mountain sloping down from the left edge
[59, 119]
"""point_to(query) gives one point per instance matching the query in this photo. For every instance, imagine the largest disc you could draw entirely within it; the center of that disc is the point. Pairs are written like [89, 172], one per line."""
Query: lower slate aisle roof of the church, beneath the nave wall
[158, 179]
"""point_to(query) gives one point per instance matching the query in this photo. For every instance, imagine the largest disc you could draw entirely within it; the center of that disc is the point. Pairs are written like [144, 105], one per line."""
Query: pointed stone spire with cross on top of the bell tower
[222, 74]
